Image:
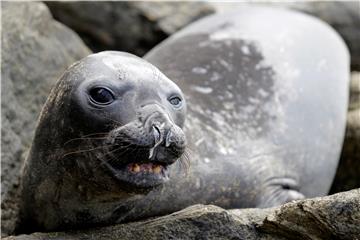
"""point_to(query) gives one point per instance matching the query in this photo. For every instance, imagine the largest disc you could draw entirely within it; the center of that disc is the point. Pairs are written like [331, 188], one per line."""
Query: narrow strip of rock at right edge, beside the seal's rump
[347, 176]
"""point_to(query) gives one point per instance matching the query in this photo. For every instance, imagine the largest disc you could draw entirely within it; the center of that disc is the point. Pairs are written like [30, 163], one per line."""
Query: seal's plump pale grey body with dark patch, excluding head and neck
[267, 94]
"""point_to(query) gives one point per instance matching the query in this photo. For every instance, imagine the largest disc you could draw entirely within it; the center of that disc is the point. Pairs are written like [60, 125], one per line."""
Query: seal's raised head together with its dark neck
[108, 133]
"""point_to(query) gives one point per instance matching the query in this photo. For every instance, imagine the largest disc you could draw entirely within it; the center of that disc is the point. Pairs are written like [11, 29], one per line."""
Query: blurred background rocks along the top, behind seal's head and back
[138, 26]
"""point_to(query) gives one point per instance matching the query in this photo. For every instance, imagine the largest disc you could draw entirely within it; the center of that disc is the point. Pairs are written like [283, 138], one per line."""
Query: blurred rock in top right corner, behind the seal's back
[342, 15]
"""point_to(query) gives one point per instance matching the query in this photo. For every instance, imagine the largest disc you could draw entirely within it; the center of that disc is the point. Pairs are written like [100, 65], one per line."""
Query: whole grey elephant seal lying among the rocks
[266, 93]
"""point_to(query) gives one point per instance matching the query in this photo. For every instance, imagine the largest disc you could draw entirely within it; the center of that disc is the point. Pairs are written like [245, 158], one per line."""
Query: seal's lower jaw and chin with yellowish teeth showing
[142, 175]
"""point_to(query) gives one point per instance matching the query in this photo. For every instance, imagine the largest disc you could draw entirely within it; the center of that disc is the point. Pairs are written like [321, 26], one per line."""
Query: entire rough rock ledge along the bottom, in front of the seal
[332, 217]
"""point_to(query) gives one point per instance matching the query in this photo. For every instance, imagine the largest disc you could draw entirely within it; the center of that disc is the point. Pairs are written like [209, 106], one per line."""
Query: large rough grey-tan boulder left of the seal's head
[35, 51]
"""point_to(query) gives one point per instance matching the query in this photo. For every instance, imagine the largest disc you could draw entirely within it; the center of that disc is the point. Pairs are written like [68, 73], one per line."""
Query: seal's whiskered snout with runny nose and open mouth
[147, 146]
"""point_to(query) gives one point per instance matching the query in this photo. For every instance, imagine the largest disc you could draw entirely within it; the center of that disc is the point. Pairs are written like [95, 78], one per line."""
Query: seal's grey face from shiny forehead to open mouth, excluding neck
[141, 113]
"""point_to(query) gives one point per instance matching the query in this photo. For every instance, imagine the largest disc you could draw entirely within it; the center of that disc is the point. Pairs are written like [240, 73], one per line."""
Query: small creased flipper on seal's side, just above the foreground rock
[278, 191]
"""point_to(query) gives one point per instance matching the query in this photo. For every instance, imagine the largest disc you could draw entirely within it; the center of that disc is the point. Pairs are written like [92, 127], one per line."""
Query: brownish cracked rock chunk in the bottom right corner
[332, 217]
